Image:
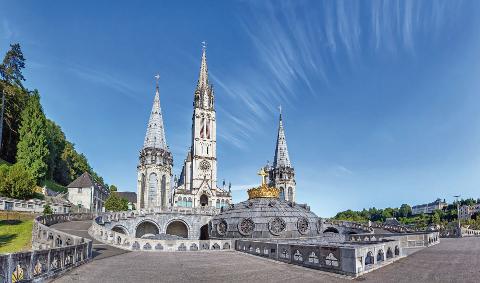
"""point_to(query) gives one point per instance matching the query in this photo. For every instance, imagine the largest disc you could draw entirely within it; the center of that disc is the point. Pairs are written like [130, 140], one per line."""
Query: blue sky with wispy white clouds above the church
[380, 99]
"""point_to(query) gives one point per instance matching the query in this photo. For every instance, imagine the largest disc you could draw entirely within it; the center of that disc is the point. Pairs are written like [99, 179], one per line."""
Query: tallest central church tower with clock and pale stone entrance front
[197, 184]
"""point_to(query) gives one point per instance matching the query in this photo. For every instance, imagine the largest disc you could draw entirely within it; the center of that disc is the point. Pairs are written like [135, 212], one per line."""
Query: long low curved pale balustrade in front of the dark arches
[122, 241]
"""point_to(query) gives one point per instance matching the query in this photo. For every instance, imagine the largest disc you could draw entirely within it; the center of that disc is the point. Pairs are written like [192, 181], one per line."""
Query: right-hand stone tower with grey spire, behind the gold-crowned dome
[281, 173]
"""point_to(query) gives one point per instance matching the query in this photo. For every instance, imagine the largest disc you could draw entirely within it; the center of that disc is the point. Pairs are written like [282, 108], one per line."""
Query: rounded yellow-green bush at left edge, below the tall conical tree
[16, 182]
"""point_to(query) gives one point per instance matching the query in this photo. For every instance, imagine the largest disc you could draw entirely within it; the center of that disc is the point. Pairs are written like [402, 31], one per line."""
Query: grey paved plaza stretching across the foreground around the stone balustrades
[453, 260]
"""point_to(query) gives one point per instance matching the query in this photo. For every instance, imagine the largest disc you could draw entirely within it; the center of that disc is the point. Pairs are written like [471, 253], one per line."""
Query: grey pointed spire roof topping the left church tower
[155, 136]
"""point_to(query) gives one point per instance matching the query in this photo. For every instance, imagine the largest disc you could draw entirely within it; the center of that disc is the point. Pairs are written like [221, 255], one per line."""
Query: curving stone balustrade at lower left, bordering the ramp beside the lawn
[54, 251]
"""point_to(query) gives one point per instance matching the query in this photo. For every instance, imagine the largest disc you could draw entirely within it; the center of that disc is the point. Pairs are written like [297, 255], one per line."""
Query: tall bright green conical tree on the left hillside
[33, 147]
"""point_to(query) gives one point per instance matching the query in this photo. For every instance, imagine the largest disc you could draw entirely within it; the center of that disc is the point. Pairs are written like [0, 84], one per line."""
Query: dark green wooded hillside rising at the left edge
[35, 147]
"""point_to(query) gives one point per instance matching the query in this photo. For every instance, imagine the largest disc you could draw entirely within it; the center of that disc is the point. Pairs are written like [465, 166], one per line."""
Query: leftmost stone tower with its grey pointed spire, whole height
[154, 170]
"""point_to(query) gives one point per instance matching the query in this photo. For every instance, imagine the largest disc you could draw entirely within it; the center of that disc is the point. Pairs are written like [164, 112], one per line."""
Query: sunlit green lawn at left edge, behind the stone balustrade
[15, 235]
